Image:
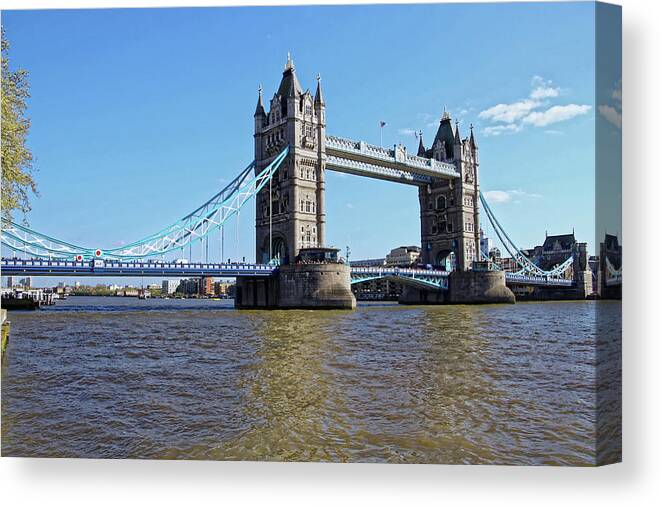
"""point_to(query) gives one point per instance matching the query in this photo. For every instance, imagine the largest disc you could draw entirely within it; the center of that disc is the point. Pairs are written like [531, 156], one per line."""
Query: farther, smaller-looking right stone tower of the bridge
[449, 212]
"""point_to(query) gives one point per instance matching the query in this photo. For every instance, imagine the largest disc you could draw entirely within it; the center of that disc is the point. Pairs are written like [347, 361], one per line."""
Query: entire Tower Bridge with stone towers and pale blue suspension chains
[293, 267]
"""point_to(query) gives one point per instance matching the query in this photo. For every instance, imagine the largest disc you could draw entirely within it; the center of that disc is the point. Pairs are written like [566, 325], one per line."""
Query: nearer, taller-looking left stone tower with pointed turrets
[298, 220]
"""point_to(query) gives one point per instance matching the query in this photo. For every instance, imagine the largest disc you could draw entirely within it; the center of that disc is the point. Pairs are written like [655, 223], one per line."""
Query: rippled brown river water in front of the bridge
[197, 379]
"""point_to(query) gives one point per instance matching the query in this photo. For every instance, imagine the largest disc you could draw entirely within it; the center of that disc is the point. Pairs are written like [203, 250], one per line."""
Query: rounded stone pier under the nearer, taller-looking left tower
[298, 286]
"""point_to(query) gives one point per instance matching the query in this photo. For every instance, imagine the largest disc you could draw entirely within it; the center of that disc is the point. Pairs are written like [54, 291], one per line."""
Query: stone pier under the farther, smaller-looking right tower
[465, 287]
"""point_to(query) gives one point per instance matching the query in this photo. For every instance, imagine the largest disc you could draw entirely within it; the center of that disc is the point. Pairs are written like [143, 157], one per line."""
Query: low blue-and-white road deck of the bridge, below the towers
[429, 278]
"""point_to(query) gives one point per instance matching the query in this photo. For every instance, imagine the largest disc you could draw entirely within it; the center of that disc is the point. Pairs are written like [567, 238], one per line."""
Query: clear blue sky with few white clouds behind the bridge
[140, 115]
